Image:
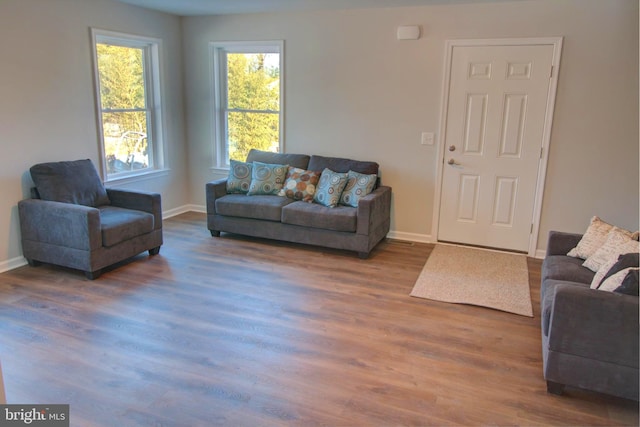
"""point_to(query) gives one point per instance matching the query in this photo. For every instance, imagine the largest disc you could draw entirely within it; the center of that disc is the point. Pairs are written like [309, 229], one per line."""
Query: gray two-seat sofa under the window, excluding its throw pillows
[356, 229]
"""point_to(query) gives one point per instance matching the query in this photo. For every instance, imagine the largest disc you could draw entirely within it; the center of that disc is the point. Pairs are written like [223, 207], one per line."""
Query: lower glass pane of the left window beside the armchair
[125, 141]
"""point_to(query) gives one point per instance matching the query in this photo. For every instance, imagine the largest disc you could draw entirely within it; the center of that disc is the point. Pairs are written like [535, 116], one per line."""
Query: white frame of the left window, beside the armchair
[152, 60]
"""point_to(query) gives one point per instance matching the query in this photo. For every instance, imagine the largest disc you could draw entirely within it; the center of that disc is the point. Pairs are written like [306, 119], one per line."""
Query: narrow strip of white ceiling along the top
[222, 7]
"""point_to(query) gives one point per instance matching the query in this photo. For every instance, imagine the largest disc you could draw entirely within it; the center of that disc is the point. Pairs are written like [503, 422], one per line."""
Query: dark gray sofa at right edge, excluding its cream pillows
[589, 337]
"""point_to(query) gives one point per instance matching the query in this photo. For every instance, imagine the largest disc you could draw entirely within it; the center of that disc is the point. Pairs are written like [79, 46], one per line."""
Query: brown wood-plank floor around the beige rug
[245, 332]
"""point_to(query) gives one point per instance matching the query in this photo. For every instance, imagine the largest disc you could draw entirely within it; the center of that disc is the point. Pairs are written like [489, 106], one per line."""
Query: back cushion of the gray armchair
[74, 182]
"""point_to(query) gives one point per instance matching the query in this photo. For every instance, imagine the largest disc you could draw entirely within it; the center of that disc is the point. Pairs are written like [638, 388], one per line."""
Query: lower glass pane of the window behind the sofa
[252, 130]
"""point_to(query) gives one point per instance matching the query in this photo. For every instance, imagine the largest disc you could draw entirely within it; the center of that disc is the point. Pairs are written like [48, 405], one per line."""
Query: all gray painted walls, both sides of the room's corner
[352, 90]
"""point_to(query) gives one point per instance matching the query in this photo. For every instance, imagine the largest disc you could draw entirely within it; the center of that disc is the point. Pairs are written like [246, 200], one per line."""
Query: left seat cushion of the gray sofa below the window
[256, 207]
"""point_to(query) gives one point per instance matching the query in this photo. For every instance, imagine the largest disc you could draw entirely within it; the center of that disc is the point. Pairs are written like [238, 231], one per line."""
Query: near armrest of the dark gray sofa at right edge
[594, 324]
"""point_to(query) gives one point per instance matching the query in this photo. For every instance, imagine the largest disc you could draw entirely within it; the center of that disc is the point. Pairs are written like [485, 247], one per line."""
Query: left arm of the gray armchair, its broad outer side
[60, 224]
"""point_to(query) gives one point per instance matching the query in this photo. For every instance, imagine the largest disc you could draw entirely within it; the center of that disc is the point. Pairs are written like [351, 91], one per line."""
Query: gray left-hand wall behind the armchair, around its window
[47, 97]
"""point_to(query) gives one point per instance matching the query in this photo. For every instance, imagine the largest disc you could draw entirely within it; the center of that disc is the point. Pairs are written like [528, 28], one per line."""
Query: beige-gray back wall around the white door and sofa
[353, 90]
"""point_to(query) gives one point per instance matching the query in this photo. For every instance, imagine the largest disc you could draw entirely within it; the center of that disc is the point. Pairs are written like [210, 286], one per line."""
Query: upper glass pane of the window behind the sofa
[253, 81]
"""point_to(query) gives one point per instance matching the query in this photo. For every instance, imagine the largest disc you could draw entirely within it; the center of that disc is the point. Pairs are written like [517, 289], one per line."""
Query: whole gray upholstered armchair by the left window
[73, 221]
